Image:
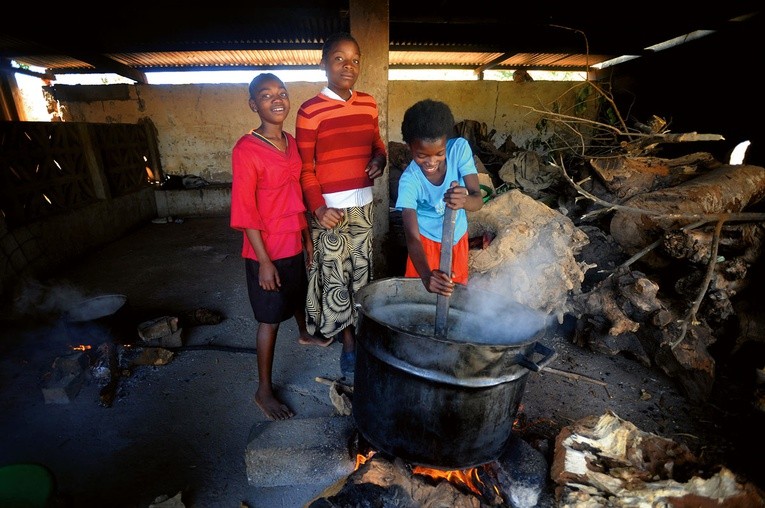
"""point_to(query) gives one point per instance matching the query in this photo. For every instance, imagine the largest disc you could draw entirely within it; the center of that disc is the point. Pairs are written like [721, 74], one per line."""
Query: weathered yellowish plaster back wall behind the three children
[198, 125]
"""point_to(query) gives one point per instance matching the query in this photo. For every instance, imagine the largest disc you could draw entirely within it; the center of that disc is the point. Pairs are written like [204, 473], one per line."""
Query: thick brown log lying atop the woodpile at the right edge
[728, 189]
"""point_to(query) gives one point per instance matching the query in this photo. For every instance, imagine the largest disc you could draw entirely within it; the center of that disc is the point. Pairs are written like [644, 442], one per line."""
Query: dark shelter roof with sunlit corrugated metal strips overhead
[422, 34]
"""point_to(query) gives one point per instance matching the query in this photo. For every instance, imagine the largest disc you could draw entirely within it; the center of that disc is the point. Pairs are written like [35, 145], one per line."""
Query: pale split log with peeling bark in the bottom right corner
[607, 461]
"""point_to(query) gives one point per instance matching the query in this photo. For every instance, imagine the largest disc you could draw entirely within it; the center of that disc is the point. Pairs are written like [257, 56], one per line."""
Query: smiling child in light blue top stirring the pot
[442, 174]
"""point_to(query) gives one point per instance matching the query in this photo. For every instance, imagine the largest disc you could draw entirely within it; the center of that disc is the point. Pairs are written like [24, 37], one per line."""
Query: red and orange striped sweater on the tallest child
[336, 140]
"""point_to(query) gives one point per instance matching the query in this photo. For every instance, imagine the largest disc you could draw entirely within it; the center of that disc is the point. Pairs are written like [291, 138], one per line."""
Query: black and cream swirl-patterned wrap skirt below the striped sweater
[342, 265]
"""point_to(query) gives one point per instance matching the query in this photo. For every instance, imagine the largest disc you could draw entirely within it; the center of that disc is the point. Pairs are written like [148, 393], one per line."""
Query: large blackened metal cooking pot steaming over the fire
[443, 403]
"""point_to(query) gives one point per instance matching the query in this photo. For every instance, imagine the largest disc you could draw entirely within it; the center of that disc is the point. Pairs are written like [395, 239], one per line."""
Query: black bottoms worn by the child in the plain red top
[277, 306]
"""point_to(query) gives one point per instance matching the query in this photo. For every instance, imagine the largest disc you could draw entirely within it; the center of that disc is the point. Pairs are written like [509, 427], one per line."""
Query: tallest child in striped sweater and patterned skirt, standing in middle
[338, 137]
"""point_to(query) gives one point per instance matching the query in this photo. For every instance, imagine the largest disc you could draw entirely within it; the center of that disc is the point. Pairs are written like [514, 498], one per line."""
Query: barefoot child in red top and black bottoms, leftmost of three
[267, 206]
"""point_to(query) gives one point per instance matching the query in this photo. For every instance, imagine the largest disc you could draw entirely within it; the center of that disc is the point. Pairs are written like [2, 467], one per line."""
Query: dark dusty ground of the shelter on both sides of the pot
[183, 427]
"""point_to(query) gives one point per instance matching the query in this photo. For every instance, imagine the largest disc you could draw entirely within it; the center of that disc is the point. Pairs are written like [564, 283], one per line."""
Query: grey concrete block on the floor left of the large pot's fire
[308, 451]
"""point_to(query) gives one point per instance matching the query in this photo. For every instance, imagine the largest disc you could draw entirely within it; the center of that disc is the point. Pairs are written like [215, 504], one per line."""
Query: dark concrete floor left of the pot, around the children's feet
[183, 426]
